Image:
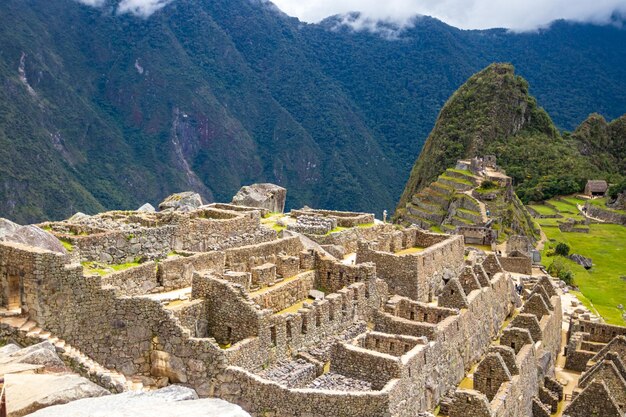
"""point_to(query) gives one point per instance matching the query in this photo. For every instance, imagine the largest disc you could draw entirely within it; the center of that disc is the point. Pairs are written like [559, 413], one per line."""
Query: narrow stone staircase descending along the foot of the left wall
[26, 330]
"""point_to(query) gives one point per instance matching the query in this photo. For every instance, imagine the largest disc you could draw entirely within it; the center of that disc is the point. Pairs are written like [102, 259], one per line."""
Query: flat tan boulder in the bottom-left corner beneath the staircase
[27, 393]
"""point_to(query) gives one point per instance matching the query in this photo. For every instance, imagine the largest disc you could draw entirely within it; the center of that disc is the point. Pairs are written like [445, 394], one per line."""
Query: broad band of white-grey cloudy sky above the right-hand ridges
[467, 14]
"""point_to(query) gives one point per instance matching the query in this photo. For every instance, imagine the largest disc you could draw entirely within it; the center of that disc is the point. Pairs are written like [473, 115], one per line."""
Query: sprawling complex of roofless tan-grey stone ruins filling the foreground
[212, 299]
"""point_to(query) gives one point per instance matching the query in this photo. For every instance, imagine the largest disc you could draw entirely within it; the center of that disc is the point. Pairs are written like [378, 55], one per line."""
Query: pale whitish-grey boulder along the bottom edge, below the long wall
[172, 401]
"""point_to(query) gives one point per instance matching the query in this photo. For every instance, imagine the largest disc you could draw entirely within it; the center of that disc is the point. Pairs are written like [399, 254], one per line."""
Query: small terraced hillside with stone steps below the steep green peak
[460, 198]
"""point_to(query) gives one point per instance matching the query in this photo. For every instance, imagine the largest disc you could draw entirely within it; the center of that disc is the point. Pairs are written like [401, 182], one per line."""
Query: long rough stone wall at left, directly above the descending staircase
[121, 333]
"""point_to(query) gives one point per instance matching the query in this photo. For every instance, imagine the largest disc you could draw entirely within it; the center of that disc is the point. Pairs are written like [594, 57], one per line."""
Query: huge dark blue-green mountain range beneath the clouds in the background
[99, 110]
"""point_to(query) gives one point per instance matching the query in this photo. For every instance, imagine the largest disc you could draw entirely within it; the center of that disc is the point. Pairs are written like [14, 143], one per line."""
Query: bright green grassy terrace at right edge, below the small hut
[601, 287]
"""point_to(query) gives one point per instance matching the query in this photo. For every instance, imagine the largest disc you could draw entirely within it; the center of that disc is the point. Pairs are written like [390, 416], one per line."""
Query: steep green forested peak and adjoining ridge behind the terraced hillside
[494, 114]
